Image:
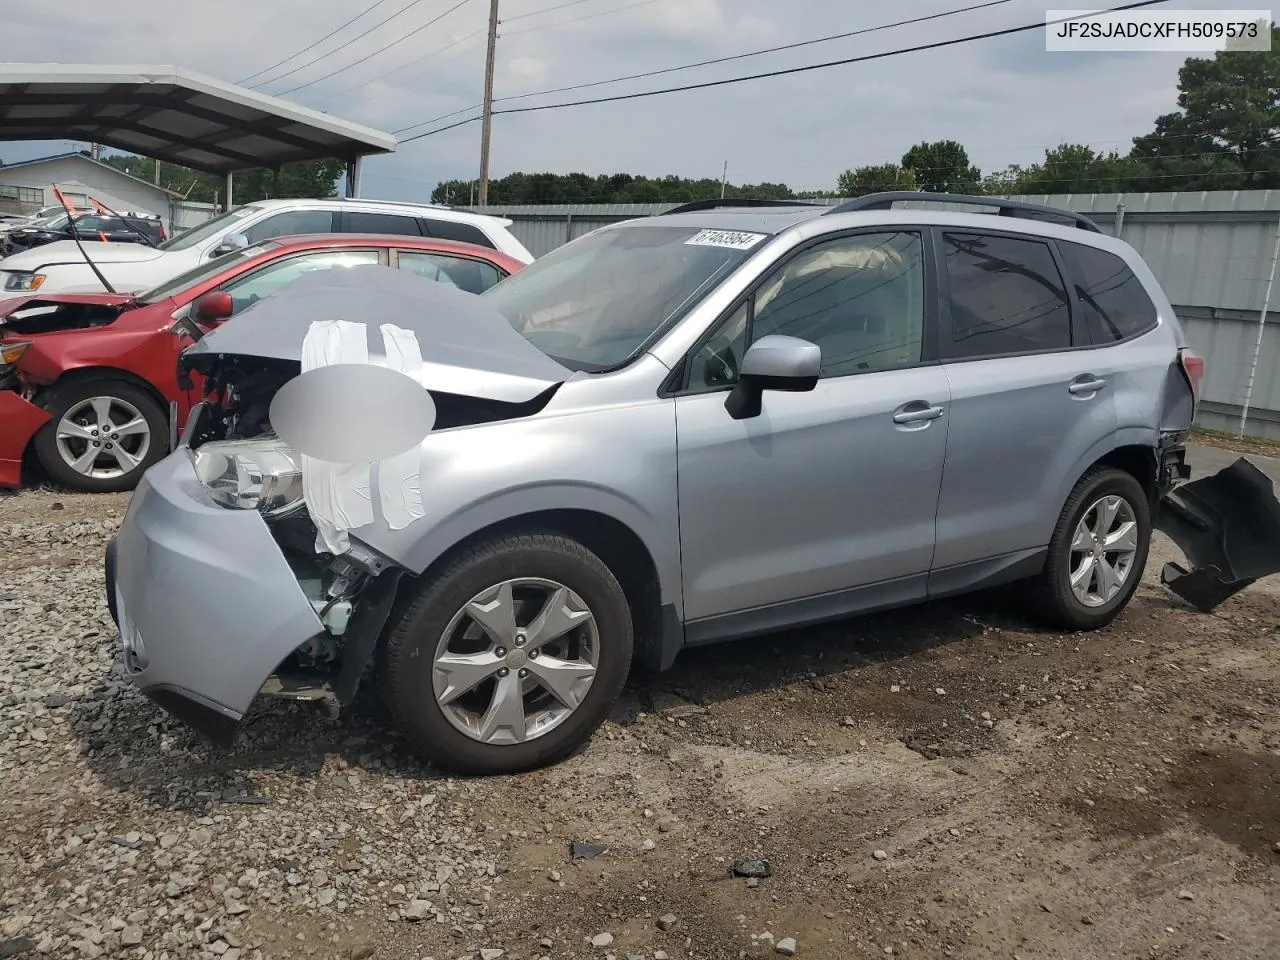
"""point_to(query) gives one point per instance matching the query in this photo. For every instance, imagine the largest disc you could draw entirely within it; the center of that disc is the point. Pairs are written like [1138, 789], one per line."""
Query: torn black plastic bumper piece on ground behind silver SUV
[1228, 525]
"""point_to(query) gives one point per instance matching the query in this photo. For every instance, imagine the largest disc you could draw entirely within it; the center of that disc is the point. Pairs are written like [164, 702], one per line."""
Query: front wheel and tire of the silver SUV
[511, 657]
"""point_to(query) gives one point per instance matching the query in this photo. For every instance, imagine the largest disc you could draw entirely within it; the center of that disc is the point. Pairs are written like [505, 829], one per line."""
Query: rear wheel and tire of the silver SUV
[1098, 554]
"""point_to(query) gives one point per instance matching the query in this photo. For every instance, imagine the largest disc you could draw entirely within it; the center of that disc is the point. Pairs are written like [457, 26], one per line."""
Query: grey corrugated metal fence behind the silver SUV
[1212, 253]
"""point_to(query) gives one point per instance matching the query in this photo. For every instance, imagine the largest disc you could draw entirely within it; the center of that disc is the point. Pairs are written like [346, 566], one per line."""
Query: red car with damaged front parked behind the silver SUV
[88, 382]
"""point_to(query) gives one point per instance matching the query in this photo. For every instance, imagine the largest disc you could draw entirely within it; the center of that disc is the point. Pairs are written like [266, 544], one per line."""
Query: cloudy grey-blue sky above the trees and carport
[1005, 99]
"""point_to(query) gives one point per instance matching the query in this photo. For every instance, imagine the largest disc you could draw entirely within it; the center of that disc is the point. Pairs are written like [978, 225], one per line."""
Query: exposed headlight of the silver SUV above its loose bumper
[263, 476]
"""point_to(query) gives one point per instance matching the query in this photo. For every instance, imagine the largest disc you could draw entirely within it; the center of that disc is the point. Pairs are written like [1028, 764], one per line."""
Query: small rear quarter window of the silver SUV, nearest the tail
[1109, 296]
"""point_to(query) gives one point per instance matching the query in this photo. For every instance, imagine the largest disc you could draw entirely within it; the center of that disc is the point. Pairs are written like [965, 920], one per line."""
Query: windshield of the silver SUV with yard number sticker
[598, 301]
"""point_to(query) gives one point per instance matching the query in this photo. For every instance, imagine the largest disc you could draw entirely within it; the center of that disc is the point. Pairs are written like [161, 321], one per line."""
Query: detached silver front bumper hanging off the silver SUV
[204, 600]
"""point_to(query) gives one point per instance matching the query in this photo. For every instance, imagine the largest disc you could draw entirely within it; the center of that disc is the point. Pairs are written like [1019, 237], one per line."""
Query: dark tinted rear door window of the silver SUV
[1007, 296]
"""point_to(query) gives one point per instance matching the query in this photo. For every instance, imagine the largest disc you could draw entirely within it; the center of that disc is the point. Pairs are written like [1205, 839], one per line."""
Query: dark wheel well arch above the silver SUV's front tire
[612, 541]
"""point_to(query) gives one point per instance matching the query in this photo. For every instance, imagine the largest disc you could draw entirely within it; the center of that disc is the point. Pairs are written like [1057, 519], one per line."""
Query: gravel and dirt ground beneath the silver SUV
[944, 781]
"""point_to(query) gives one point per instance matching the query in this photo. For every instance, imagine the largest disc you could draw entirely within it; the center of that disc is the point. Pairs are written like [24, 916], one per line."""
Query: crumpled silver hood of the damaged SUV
[468, 348]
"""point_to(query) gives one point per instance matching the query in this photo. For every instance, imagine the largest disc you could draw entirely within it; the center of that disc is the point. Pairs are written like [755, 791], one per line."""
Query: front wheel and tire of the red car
[80, 408]
